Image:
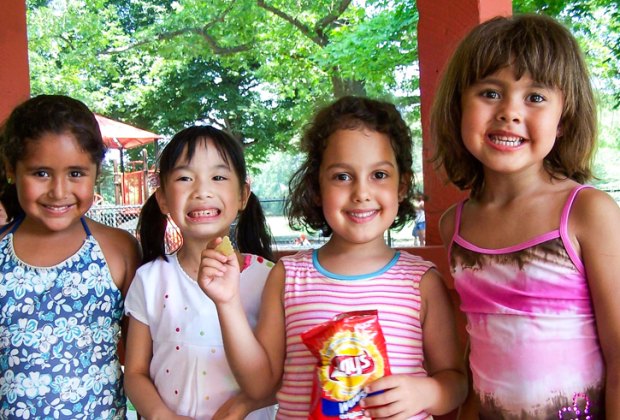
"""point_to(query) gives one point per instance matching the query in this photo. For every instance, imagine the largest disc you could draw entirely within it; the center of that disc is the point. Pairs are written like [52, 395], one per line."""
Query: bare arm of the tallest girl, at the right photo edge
[595, 219]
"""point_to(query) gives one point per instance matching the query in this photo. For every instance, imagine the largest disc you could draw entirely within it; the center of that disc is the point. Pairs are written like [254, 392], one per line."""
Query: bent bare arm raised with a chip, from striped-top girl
[250, 355]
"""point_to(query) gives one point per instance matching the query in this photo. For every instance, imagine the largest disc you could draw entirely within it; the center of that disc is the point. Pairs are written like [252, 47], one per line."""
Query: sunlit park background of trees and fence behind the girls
[259, 69]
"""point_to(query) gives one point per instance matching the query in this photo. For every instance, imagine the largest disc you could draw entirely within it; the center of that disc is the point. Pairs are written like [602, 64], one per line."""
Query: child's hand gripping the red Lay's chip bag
[403, 396]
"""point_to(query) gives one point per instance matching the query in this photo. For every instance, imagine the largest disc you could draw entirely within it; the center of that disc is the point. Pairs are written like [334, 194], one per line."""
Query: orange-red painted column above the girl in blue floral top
[14, 71]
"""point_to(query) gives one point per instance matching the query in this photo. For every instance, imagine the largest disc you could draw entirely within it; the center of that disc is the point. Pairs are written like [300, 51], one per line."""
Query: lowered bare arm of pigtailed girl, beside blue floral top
[138, 384]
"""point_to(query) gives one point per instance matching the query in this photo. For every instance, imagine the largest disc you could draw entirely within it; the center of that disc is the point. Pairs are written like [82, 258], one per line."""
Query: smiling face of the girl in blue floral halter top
[55, 181]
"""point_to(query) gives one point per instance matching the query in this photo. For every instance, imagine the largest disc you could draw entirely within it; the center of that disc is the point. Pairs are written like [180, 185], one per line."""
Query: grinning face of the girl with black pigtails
[202, 196]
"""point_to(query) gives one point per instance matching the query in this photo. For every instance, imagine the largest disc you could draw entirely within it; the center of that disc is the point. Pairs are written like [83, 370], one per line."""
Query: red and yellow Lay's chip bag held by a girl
[350, 351]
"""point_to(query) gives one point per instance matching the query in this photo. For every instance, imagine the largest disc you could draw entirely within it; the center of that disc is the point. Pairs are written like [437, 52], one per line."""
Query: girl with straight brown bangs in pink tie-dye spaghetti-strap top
[535, 254]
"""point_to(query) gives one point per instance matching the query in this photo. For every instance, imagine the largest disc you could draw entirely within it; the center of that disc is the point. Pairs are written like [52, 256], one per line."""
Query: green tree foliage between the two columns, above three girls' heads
[256, 68]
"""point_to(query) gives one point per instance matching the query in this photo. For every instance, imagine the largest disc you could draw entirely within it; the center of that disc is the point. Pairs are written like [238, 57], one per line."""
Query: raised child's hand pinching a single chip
[218, 274]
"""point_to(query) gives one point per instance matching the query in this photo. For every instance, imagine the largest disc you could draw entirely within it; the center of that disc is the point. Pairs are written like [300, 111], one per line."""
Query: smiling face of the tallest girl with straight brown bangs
[510, 125]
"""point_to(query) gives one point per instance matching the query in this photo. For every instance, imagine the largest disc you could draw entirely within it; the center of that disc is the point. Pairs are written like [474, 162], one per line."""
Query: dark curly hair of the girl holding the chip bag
[350, 112]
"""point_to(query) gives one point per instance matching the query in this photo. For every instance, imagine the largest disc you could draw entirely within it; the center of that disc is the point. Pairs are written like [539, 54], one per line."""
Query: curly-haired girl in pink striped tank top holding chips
[355, 183]
